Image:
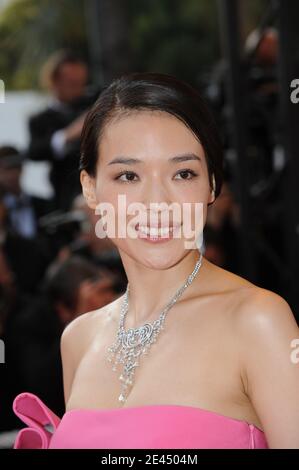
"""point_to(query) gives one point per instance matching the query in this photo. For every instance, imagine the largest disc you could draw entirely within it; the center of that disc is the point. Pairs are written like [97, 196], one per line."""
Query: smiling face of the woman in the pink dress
[153, 139]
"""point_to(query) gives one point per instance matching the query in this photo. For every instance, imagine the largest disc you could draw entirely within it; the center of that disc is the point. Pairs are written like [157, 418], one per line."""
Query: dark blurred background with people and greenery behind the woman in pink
[55, 58]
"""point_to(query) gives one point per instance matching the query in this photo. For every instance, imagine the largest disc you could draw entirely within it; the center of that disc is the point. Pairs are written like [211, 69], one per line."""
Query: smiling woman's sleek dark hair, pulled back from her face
[152, 91]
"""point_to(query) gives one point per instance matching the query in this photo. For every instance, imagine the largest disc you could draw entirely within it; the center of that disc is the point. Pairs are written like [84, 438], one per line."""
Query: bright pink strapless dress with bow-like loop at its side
[138, 427]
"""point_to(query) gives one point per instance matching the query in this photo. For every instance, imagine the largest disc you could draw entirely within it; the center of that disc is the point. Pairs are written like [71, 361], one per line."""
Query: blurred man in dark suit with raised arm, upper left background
[55, 132]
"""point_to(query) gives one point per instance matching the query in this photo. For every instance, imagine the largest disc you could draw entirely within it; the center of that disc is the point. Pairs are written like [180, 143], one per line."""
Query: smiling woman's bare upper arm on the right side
[267, 330]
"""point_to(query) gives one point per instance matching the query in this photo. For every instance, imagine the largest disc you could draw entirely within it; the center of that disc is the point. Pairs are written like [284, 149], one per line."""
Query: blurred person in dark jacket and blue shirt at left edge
[24, 247]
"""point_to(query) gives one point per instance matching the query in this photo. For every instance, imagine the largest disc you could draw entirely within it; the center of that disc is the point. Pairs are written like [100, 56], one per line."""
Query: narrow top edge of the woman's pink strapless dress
[139, 407]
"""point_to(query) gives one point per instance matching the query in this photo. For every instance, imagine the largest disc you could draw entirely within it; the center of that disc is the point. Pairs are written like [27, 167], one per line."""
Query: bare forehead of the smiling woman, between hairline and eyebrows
[147, 133]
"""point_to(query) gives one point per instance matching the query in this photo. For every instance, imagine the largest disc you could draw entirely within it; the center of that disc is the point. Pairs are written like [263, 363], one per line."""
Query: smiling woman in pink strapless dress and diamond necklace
[220, 373]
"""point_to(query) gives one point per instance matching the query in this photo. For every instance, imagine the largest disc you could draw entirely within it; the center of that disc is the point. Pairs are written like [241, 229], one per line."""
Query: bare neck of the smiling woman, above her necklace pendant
[152, 288]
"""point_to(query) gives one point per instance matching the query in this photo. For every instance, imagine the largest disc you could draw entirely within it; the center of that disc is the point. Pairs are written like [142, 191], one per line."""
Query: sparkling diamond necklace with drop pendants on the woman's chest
[135, 342]
